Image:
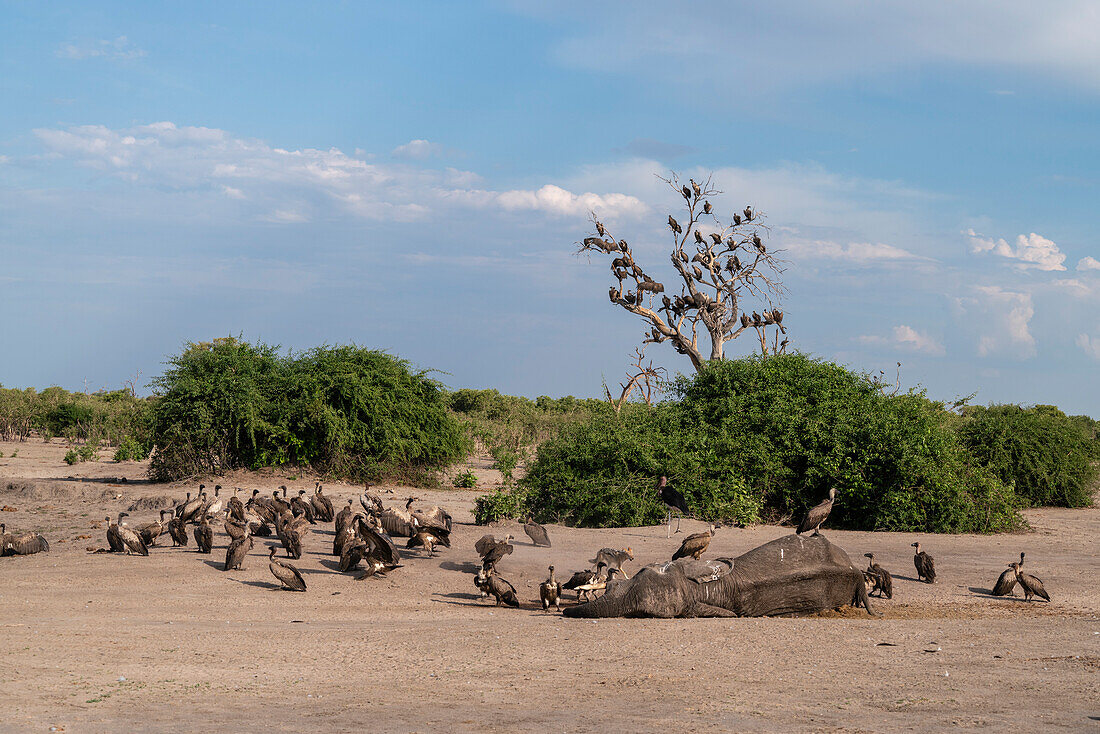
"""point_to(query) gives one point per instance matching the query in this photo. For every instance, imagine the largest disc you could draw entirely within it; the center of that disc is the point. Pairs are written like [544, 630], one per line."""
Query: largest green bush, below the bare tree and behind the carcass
[764, 440]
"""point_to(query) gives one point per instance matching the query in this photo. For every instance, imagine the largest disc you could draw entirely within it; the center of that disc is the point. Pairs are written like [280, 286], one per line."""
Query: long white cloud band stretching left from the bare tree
[295, 185]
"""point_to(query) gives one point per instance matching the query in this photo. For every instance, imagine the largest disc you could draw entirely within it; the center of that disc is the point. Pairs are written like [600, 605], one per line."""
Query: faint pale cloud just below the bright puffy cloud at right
[1002, 320]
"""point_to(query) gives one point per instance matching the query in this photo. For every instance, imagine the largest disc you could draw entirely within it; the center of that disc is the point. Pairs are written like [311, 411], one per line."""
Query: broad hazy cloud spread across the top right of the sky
[790, 43]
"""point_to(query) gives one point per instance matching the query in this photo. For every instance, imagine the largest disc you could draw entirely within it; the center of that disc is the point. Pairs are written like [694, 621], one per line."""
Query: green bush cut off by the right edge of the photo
[1046, 455]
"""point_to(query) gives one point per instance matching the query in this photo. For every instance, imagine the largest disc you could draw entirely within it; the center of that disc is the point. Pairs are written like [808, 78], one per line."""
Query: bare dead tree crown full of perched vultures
[721, 265]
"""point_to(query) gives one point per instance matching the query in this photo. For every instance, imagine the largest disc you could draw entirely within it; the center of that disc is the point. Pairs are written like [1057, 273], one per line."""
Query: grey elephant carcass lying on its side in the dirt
[789, 576]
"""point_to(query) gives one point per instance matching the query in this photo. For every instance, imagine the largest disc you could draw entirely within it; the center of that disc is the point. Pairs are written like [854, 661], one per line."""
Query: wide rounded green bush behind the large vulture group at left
[343, 411]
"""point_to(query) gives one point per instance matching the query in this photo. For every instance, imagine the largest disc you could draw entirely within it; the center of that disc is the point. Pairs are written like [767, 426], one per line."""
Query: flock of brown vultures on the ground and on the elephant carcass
[365, 538]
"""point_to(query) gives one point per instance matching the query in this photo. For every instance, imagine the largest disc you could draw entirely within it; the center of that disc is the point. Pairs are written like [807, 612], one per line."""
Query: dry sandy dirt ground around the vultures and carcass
[107, 643]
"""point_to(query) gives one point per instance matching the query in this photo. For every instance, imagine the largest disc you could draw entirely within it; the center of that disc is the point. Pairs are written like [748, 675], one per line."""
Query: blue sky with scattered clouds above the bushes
[416, 180]
